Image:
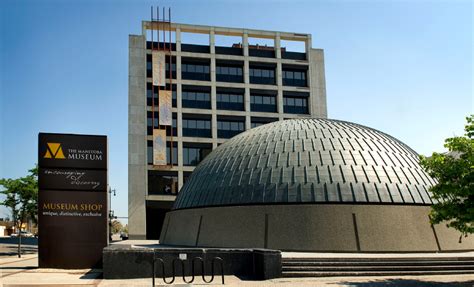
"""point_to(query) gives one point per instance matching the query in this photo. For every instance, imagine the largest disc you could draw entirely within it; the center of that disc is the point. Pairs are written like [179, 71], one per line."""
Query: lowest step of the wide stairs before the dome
[373, 273]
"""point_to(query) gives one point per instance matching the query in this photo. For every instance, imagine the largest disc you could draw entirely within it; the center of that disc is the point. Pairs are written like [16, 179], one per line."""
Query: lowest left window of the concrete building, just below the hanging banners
[162, 182]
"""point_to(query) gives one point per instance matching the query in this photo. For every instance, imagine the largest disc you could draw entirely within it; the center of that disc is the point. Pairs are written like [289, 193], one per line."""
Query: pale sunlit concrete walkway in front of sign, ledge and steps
[23, 271]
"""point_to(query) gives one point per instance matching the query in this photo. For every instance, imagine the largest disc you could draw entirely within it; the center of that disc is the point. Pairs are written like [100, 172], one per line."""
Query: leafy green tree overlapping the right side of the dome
[454, 172]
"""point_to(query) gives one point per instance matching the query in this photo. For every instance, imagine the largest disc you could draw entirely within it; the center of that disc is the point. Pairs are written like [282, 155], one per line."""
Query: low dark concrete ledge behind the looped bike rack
[127, 261]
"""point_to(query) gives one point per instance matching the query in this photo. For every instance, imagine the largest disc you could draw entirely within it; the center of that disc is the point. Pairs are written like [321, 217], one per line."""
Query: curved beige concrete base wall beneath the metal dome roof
[312, 227]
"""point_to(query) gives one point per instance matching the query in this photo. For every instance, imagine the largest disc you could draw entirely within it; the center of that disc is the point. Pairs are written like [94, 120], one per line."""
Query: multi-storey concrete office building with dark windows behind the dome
[218, 92]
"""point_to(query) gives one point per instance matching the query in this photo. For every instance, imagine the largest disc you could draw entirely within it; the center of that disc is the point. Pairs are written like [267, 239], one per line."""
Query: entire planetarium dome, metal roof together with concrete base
[309, 185]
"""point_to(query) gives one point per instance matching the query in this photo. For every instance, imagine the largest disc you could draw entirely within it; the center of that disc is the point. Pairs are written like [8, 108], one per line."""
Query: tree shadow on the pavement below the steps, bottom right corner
[405, 283]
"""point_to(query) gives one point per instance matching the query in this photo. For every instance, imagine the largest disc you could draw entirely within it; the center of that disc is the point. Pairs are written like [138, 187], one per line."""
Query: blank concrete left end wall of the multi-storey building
[137, 137]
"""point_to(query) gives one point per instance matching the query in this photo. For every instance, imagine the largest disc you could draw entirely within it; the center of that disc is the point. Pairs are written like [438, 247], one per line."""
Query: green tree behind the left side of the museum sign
[21, 196]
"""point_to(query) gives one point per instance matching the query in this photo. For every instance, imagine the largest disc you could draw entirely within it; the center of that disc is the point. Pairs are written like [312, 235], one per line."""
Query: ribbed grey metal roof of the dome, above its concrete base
[308, 161]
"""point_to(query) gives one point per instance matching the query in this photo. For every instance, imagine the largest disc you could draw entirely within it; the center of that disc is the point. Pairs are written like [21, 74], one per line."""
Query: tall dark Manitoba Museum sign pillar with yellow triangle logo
[72, 200]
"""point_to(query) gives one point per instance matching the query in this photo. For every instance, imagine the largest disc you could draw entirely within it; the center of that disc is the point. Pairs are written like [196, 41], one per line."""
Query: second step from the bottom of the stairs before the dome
[376, 268]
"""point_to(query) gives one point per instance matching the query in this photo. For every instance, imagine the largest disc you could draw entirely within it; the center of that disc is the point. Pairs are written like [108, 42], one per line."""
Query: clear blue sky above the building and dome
[403, 67]
